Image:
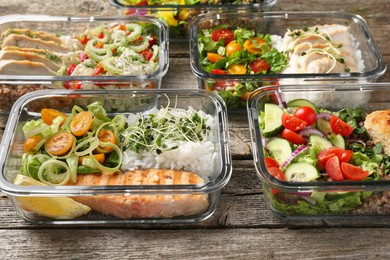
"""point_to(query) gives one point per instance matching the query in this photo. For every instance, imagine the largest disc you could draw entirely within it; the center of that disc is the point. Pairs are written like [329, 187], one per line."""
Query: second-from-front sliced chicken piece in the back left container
[29, 56]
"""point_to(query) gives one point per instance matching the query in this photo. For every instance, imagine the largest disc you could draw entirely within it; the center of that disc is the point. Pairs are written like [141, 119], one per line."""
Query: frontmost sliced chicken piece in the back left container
[25, 67]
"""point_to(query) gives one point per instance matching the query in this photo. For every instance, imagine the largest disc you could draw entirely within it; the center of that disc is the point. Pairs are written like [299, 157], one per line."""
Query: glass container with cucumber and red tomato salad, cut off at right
[333, 172]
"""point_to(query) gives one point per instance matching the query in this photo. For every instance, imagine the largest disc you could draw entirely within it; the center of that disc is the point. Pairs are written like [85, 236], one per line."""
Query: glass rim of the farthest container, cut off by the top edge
[266, 4]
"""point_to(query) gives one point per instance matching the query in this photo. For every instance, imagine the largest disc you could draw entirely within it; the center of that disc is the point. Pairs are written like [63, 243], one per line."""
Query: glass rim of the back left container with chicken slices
[158, 74]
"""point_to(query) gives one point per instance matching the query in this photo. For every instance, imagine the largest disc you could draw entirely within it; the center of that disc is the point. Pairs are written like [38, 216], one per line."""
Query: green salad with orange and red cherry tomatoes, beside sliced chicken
[236, 52]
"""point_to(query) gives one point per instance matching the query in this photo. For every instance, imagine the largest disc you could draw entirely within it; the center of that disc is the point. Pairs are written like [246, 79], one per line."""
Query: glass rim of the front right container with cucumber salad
[257, 144]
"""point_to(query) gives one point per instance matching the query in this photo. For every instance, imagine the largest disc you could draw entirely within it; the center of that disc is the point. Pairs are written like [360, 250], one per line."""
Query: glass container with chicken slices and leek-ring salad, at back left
[46, 52]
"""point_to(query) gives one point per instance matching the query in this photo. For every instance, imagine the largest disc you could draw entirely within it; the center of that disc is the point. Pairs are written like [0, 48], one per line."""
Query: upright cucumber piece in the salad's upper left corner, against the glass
[272, 120]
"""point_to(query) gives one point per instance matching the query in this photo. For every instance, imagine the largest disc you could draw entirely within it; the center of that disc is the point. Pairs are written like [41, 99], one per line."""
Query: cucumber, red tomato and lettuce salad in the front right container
[303, 143]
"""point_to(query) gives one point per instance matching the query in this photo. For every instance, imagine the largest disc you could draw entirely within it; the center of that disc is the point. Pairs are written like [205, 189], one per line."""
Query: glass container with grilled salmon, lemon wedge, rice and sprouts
[184, 130]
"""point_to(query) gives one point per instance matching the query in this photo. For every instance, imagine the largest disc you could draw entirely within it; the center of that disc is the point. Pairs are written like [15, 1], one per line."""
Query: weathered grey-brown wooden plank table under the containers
[242, 227]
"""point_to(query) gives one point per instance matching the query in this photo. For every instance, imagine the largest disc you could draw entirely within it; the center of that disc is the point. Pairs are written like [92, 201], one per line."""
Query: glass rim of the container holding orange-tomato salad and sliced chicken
[200, 73]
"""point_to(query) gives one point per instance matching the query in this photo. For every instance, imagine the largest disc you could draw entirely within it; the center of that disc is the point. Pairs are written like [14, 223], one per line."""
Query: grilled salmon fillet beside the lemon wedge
[144, 206]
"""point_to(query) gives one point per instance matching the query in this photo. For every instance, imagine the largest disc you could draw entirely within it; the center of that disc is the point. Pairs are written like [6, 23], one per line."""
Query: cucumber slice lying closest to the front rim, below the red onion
[301, 172]
